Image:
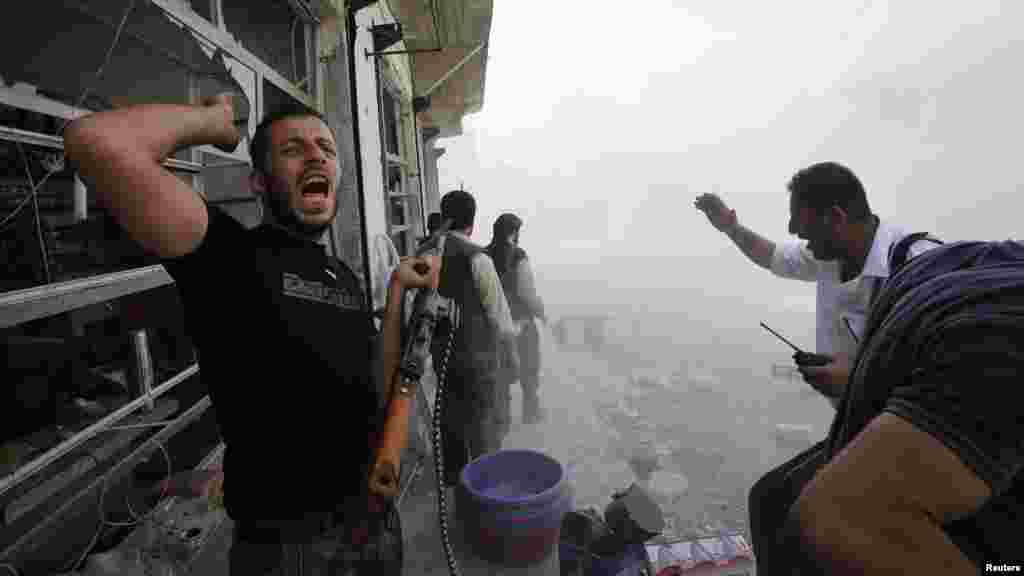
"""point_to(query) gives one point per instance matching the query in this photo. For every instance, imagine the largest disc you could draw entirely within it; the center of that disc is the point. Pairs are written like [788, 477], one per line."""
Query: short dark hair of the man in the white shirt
[826, 185]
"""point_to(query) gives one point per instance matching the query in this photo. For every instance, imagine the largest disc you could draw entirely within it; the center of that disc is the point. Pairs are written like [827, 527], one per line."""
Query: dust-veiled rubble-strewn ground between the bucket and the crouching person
[611, 403]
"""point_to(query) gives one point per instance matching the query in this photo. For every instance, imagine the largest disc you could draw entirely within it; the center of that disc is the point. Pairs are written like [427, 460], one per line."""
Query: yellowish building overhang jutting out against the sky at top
[461, 29]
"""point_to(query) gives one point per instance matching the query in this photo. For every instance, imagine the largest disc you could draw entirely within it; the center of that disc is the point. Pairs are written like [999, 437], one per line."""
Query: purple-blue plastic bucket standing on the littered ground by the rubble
[510, 506]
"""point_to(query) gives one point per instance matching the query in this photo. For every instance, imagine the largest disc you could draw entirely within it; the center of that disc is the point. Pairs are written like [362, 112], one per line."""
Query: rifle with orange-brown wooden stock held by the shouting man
[429, 308]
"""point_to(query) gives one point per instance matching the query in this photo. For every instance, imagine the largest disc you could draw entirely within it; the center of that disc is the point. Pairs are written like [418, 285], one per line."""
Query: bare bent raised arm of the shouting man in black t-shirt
[120, 154]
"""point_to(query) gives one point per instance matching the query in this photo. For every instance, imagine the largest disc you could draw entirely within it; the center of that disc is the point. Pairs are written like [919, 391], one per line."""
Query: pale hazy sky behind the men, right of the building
[604, 120]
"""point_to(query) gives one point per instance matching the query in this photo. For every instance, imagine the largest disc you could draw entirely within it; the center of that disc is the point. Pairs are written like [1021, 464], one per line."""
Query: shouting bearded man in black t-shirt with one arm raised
[283, 330]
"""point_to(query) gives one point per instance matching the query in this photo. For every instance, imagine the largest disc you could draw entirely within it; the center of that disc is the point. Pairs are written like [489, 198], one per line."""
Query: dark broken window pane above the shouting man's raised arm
[151, 59]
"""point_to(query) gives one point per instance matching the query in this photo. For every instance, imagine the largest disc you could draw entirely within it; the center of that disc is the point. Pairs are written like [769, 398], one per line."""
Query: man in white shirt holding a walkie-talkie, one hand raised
[847, 253]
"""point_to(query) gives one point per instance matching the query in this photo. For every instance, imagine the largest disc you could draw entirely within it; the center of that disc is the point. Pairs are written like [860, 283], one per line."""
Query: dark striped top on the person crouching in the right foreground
[946, 352]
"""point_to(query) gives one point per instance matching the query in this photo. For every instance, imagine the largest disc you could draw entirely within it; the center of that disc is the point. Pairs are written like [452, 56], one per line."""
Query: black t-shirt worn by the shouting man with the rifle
[285, 345]
